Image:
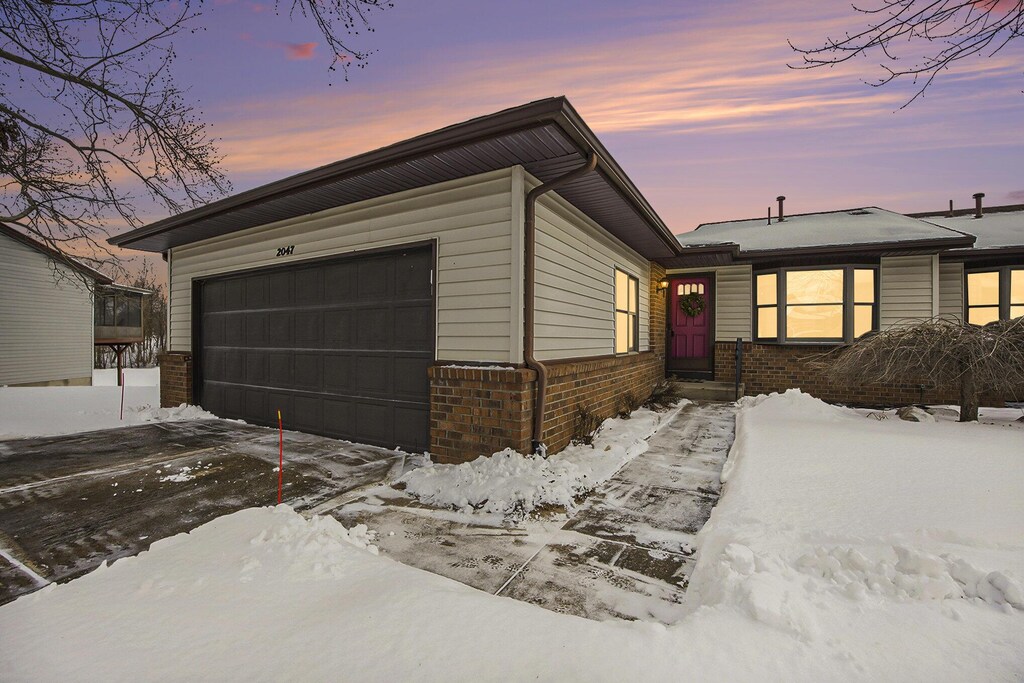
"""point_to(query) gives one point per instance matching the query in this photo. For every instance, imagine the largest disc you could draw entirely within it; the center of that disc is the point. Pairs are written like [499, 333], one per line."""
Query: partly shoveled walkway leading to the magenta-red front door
[626, 554]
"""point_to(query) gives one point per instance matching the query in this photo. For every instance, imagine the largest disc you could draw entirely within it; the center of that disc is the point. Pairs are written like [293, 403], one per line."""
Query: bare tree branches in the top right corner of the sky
[943, 32]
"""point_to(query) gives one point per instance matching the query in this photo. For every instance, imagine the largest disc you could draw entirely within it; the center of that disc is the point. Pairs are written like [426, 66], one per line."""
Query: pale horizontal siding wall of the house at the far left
[46, 320]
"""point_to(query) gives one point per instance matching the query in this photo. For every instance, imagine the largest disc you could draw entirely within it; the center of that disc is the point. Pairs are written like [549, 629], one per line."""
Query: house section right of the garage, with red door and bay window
[791, 290]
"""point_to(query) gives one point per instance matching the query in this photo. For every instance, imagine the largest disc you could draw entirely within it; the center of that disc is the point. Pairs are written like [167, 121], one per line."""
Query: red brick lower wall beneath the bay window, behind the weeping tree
[771, 368]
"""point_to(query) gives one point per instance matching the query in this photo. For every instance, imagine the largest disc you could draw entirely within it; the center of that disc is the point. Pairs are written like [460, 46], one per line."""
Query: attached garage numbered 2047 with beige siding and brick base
[410, 296]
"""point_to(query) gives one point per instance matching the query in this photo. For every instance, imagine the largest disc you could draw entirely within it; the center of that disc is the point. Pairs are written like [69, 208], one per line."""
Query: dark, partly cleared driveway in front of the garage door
[70, 503]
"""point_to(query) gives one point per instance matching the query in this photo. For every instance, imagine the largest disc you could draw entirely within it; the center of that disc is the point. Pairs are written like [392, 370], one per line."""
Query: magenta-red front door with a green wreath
[690, 324]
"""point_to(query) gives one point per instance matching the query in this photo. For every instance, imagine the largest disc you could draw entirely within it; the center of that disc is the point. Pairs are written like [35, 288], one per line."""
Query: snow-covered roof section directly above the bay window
[868, 226]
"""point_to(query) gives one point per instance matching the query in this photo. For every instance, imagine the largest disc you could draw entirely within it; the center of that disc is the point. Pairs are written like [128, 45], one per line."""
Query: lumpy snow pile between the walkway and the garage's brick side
[514, 486]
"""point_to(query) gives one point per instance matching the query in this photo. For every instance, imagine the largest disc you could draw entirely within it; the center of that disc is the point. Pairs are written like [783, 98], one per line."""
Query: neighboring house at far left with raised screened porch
[48, 329]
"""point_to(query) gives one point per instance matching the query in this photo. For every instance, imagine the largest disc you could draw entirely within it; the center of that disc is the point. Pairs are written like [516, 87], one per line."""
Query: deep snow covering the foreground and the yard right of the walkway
[845, 548]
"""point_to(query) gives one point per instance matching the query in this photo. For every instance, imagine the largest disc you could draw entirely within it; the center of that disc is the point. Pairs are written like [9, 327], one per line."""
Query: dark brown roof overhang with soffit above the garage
[547, 138]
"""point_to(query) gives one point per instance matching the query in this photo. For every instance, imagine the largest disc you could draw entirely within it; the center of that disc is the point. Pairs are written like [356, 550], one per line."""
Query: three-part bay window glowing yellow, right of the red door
[828, 305]
